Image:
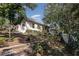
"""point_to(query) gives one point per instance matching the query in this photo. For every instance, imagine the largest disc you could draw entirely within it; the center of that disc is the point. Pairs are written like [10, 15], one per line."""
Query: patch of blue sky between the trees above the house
[38, 13]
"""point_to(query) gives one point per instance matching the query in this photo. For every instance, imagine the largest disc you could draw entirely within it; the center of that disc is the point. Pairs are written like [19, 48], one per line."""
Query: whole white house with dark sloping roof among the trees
[30, 24]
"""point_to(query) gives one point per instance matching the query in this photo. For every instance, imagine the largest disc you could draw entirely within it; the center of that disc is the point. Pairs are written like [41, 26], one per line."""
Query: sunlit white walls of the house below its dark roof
[29, 26]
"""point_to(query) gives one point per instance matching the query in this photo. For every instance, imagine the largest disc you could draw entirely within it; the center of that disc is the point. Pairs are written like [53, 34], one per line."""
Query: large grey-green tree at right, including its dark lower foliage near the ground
[67, 16]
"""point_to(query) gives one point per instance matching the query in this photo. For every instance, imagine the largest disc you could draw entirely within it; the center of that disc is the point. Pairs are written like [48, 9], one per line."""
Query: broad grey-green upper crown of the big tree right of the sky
[66, 15]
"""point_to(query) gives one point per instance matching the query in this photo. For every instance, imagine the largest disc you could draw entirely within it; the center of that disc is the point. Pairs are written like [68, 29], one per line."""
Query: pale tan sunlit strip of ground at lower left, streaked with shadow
[13, 50]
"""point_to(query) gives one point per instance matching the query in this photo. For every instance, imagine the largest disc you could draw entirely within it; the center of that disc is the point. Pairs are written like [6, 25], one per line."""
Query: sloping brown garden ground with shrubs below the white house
[40, 44]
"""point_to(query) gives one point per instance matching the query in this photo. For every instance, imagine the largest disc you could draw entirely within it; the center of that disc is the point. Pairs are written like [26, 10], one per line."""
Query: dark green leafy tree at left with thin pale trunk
[11, 11]
